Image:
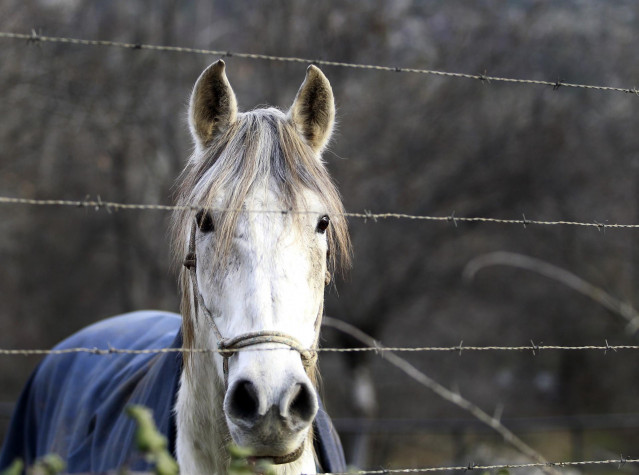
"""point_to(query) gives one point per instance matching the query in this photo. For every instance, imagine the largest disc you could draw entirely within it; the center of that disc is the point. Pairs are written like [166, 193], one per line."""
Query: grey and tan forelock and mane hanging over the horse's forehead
[262, 147]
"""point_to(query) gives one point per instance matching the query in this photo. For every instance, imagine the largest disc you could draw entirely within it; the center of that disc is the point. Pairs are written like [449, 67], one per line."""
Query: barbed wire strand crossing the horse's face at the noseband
[533, 348]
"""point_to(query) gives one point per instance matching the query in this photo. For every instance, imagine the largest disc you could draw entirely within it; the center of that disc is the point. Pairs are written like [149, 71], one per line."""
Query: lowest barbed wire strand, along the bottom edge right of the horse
[471, 466]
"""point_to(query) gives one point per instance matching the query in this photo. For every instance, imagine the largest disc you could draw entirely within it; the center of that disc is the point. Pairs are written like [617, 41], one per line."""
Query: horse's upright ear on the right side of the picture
[313, 111]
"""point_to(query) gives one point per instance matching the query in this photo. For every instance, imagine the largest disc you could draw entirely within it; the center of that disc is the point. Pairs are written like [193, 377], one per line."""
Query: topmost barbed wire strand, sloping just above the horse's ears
[34, 37]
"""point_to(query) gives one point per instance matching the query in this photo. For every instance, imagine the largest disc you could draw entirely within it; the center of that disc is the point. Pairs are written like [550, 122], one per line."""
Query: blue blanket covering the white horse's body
[73, 405]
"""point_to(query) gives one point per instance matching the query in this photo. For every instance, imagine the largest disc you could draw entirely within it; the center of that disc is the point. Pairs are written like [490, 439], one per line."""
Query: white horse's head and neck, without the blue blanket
[269, 215]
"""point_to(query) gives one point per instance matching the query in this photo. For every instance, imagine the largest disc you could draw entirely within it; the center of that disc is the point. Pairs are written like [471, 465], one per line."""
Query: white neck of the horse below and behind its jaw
[202, 434]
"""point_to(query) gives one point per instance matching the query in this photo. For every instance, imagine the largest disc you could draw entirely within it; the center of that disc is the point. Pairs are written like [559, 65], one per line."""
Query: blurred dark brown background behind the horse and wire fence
[83, 121]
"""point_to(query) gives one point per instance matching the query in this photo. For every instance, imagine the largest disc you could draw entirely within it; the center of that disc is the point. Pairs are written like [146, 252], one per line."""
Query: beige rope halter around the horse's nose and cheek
[227, 347]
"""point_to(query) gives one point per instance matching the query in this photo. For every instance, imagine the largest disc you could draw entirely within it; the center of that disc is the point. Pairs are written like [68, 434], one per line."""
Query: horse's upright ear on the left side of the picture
[213, 107]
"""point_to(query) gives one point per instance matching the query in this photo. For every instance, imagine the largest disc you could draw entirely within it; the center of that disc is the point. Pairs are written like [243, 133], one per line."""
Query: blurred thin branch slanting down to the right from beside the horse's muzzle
[445, 393]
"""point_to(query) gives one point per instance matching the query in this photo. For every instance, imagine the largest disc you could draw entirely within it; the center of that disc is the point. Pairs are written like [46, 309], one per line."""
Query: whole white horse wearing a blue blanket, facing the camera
[258, 231]
